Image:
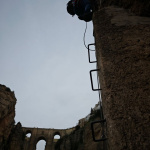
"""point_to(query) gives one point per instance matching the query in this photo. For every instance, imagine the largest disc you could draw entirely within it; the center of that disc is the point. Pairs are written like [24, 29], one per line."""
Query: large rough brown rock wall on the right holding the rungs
[123, 54]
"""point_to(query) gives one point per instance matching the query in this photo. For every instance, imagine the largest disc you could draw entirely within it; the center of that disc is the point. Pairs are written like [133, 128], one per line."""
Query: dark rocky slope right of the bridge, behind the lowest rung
[81, 138]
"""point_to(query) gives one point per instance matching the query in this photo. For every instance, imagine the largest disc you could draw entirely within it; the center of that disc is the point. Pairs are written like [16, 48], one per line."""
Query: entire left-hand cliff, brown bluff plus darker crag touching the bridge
[11, 136]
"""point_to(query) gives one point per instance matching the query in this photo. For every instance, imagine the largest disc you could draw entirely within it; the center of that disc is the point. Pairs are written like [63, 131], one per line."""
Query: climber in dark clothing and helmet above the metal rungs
[82, 8]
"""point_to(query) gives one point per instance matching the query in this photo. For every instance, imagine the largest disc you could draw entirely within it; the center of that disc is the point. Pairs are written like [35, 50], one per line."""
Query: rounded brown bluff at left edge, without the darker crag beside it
[7, 114]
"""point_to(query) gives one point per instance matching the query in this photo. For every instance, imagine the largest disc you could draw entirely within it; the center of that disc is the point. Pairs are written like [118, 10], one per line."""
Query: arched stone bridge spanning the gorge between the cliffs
[47, 135]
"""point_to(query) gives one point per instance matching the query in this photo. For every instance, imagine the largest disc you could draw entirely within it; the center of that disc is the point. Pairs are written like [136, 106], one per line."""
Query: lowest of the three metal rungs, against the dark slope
[93, 135]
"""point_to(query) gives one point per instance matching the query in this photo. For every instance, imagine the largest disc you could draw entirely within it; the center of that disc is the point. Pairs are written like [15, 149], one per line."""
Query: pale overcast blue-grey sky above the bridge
[43, 59]
